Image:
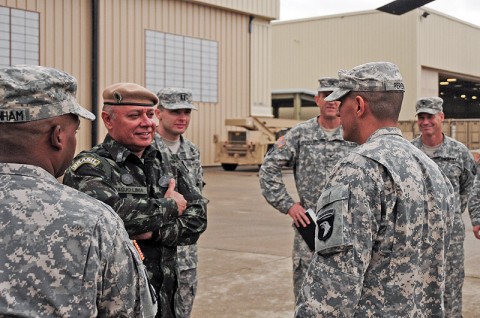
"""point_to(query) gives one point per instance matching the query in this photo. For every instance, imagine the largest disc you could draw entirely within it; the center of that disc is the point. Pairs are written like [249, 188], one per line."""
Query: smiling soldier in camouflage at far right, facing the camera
[456, 161]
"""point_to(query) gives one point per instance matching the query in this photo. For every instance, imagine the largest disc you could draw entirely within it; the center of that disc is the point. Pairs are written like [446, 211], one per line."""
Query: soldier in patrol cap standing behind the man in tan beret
[173, 113]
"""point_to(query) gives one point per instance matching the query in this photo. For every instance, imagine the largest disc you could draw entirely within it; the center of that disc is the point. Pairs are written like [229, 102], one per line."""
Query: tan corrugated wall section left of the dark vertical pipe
[65, 39]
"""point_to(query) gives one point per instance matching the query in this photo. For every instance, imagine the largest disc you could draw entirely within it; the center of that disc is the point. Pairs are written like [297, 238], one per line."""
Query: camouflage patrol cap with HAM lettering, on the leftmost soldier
[30, 92]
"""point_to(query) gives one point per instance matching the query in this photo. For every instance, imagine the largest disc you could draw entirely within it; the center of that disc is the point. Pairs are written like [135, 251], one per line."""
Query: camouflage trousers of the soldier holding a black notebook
[301, 257]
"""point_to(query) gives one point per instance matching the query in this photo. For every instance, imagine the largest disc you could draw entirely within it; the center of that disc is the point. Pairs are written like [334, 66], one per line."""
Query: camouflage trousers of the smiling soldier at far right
[455, 272]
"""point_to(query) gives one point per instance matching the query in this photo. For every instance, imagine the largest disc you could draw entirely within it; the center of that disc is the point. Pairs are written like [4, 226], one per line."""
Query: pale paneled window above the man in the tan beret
[182, 61]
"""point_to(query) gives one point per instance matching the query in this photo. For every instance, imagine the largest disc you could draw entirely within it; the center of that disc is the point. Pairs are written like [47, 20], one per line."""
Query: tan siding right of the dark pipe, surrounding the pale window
[122, 37]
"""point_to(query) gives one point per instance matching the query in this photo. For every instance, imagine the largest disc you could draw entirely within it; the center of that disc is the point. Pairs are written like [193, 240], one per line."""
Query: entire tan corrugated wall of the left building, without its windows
[65, 43]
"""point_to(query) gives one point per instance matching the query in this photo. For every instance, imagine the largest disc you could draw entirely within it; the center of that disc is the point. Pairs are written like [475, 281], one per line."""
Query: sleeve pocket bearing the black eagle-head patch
[331, 235]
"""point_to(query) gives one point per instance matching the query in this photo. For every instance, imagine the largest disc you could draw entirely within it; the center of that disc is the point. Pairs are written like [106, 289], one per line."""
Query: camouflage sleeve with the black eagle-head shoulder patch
[347, 216]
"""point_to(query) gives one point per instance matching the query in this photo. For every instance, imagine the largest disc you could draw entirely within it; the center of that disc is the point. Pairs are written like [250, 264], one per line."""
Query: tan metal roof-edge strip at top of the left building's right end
[269, 9]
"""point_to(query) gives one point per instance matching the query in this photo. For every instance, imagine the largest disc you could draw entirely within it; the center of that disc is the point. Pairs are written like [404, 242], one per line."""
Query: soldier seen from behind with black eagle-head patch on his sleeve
[384, 217]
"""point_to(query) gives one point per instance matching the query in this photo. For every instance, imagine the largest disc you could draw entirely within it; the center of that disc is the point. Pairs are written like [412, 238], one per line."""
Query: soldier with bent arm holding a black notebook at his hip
[312, 148]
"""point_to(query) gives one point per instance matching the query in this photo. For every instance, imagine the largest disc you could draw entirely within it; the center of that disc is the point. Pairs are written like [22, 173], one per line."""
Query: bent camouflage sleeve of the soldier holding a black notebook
[282, 154]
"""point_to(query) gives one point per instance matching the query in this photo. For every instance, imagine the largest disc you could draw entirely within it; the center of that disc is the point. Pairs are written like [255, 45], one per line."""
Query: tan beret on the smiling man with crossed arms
[128, 94]
